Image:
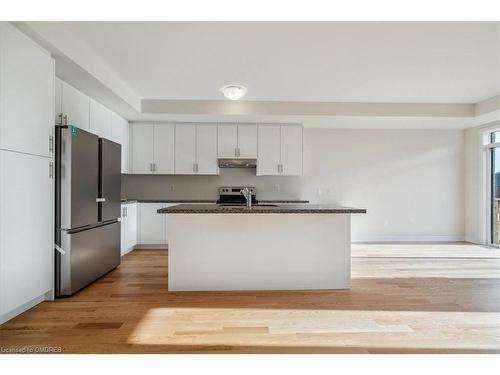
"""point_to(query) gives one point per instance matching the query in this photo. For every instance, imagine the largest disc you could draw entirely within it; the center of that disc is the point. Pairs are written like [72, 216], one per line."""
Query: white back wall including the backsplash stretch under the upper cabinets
[411, 181]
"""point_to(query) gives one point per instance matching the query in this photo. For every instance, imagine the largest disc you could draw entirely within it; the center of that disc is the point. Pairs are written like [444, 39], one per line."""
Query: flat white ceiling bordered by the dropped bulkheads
[371, 62]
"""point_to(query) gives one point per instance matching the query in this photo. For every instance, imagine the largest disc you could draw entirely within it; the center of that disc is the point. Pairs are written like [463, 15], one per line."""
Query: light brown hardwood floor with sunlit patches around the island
[432, 298]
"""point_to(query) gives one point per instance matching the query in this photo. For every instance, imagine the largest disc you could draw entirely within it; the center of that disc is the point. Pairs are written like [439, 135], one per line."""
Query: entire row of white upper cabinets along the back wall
[193, 149]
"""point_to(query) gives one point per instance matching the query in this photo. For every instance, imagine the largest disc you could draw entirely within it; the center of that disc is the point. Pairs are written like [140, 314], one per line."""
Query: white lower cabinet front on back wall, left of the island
[151, 224]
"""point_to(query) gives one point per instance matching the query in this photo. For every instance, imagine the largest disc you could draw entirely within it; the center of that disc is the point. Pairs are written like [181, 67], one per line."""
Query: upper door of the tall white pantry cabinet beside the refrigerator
[26, 94]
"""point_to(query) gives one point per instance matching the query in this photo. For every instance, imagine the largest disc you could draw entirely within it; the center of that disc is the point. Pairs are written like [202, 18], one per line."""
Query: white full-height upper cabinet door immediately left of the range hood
[206, 149]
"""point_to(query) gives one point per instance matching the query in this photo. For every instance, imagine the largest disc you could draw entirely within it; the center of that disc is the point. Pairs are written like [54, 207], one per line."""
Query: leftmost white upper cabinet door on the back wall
[142, 148]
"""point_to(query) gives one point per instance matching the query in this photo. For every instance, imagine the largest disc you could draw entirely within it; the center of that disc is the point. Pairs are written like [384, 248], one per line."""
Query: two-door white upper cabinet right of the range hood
[280, 150]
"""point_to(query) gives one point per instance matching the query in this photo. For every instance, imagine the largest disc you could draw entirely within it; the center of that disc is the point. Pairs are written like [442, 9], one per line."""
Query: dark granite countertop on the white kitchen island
[260, 209]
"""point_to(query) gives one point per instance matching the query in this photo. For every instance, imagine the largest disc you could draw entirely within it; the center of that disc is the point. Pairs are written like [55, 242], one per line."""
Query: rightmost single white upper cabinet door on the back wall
[291, 150]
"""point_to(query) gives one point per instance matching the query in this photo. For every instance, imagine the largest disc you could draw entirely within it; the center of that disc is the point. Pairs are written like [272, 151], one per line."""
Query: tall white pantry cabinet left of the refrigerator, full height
[26, 172]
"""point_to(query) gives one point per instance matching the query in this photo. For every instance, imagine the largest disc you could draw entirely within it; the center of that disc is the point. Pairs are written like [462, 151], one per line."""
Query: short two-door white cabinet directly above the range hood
[237, 141]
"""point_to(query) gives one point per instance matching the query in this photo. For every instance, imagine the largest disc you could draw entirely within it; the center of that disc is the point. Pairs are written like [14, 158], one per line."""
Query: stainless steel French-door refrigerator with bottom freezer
[88, 194]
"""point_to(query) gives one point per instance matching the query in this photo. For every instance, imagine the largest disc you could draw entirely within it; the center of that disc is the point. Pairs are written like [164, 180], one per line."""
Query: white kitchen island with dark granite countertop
[266, 247]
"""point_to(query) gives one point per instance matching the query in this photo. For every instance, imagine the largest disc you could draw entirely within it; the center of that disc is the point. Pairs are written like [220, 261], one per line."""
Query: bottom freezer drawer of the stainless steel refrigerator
[89, 254]
